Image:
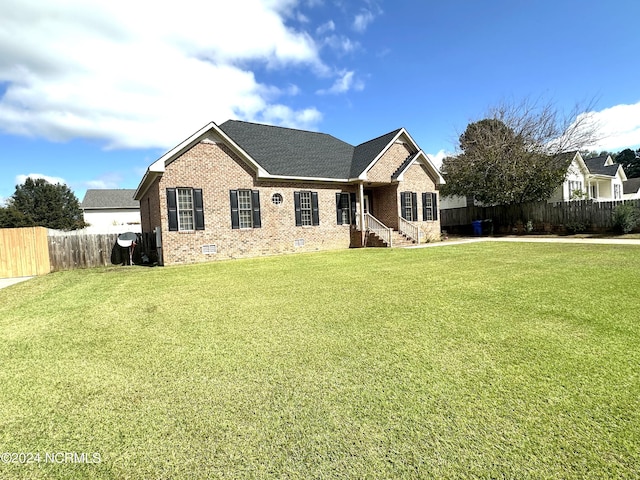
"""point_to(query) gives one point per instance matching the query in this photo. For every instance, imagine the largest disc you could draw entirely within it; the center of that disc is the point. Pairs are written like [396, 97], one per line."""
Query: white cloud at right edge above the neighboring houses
[619, 128]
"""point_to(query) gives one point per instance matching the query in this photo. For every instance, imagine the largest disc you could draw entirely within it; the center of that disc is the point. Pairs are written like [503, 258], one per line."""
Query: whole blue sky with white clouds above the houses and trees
[91, 94]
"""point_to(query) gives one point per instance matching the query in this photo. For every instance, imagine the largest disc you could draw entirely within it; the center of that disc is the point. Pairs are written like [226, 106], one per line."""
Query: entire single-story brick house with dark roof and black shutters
[243, 189]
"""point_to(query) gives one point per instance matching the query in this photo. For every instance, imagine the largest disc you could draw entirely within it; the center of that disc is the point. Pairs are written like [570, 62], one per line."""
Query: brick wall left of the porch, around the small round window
[216, 169]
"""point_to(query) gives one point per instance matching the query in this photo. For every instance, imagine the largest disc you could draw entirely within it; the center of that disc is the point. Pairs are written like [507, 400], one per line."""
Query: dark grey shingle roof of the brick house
[300, 153]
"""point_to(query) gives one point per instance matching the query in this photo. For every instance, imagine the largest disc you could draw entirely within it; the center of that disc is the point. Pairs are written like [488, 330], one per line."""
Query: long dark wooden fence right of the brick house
[544, 217]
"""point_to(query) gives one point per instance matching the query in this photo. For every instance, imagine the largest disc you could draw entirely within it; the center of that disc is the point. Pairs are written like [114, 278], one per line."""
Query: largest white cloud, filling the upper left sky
[139, 74]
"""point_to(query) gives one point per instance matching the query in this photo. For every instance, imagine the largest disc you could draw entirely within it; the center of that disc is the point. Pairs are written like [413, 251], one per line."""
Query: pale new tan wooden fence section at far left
[23, 252]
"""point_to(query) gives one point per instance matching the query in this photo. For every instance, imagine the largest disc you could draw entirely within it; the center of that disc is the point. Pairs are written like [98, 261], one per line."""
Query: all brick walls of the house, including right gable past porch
[216, 169]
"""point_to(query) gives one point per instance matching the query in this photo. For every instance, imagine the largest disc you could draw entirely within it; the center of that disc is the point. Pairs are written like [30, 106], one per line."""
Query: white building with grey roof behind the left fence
[111, 211]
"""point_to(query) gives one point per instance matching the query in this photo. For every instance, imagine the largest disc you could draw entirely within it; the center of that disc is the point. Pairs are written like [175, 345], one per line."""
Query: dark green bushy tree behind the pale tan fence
[38, 202]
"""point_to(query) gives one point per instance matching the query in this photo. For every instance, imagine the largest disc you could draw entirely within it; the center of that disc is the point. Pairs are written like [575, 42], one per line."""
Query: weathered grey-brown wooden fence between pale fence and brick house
[69, 250]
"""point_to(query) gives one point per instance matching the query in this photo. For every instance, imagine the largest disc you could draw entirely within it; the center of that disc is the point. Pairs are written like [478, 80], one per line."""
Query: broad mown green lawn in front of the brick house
[485, 360]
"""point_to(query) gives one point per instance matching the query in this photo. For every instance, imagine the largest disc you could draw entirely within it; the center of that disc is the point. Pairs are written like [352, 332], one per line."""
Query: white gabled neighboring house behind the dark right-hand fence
[599, 179]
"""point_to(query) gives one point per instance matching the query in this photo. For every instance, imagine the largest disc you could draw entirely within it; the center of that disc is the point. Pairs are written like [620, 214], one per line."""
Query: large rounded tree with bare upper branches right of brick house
[516, 154]
